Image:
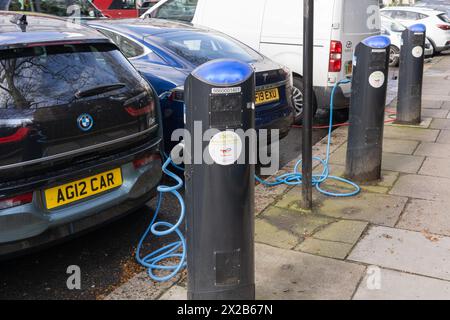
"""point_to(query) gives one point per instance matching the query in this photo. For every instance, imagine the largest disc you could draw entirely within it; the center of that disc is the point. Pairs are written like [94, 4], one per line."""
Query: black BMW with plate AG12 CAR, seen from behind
[80, 132]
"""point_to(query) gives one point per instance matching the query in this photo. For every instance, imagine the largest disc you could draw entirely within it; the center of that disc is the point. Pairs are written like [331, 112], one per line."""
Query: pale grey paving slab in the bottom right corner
[396, 285]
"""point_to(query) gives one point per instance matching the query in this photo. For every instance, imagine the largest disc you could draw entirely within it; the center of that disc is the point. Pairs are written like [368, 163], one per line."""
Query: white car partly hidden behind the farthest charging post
[393, 29]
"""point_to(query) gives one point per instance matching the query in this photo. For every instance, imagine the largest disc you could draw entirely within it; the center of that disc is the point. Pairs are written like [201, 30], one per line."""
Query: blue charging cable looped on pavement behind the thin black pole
[295, 178]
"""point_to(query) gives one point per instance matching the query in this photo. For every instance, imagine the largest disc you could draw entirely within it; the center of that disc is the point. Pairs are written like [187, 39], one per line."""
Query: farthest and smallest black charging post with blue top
[409, 109]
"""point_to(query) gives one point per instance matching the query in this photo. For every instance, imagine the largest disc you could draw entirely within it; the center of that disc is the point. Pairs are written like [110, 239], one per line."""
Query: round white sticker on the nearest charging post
[225, 148]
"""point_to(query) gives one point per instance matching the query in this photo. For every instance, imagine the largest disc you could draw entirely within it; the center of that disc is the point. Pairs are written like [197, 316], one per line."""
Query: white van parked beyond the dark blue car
[275, 28]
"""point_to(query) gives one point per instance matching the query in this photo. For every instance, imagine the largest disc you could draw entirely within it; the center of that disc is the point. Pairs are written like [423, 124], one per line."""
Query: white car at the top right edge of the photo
[437, 23]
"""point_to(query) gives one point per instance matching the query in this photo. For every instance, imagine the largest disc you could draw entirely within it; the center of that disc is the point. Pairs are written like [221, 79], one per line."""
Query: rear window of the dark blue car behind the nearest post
[200, 47]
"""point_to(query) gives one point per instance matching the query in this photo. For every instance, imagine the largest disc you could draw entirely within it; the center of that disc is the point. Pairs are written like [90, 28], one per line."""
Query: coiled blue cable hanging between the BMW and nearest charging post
[153, 260]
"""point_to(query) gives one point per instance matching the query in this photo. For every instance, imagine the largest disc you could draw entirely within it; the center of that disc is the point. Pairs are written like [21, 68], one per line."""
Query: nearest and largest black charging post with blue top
[220, 95]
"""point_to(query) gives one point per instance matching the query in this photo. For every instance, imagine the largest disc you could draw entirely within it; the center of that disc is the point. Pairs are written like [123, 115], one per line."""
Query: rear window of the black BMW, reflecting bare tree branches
[44, 76]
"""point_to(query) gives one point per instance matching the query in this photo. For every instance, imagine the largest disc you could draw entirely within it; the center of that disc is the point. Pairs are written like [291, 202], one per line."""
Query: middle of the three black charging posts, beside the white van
[367, 109]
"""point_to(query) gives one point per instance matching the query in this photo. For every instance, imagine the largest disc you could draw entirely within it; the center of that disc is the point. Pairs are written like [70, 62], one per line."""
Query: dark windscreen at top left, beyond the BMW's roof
[61, 8]
